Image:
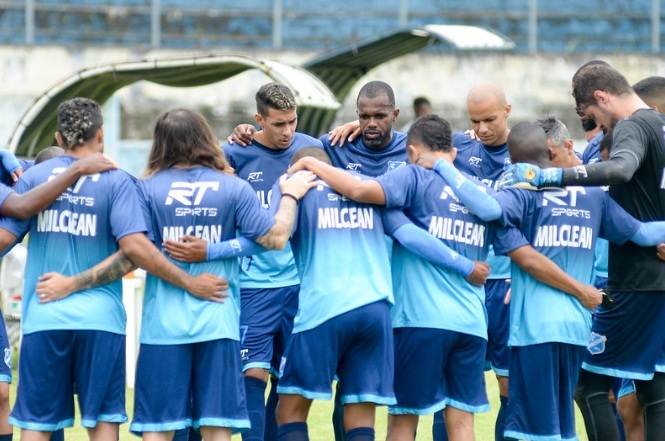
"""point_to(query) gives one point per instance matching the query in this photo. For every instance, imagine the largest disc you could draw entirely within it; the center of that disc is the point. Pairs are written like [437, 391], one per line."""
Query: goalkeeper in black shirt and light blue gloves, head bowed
[636, 277]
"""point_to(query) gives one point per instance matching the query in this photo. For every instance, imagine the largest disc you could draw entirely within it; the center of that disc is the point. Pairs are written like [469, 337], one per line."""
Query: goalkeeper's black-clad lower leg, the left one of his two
[592, 397]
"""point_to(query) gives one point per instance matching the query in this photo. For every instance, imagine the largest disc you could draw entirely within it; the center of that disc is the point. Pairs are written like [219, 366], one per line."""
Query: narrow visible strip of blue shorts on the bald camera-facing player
[498, 326]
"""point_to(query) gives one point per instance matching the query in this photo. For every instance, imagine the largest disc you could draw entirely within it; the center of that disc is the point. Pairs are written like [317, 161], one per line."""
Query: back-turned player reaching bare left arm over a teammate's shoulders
[446, 324]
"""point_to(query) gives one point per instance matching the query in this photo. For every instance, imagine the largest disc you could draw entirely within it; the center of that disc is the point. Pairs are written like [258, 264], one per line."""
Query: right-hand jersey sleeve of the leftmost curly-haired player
[125, 207]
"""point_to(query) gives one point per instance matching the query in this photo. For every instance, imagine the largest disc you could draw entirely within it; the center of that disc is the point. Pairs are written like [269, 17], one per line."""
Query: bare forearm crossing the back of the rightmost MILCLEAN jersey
[544, 270]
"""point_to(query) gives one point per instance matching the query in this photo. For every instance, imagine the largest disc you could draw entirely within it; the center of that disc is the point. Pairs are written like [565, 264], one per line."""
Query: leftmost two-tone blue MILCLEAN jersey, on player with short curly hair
[77, 231]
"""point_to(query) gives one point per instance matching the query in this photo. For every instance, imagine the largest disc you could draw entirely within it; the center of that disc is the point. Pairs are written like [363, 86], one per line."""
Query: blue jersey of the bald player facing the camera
[485, 163]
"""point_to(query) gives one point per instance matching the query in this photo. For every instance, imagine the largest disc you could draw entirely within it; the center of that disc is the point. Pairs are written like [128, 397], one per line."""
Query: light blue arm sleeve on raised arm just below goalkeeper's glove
[472, 196]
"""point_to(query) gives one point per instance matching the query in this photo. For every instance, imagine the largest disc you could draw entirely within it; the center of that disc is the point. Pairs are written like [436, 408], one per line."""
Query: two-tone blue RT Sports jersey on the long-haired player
[210, 205]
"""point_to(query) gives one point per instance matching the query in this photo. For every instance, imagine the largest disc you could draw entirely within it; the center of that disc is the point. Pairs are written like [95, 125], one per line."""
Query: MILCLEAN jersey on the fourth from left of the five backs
[425, 294]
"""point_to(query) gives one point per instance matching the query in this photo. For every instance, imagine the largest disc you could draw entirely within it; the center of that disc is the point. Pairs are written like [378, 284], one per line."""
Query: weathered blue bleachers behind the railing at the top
[563, 27]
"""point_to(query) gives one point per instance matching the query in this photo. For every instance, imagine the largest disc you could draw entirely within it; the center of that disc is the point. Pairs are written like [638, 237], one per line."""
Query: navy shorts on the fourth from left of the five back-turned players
[436, 368]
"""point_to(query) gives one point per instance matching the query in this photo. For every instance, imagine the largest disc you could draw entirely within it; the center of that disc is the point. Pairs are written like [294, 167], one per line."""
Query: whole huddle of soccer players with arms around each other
[394, 281]
